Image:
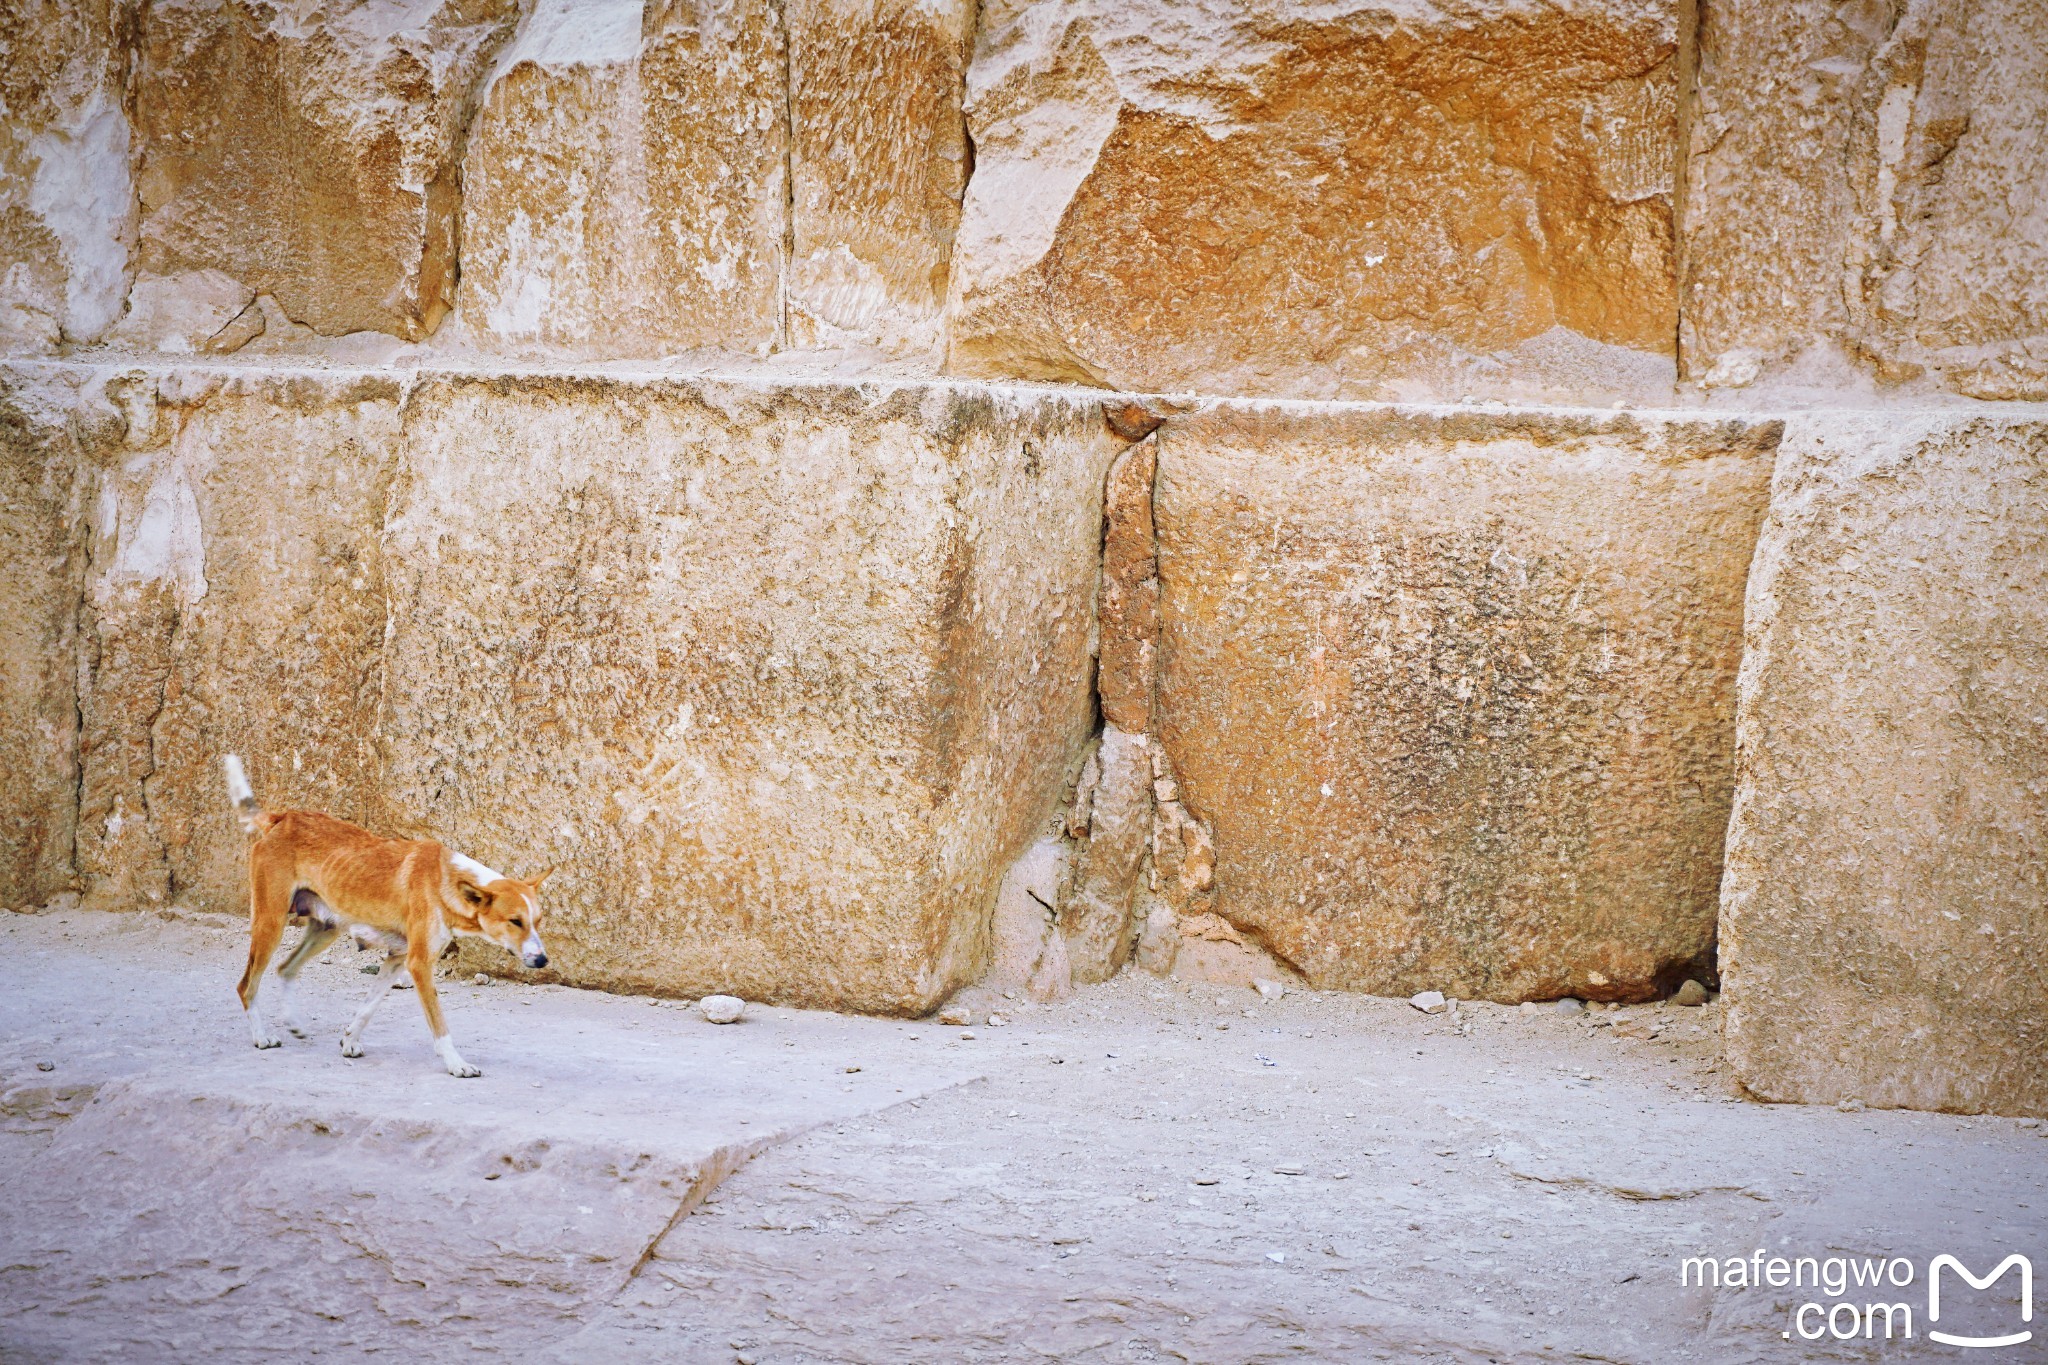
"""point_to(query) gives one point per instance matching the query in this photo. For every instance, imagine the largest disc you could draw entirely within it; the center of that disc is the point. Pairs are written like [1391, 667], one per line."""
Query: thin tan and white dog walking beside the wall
[409, 897]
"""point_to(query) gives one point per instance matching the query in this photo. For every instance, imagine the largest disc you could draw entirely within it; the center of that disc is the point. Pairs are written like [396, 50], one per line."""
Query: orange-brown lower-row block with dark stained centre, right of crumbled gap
[1455, 693]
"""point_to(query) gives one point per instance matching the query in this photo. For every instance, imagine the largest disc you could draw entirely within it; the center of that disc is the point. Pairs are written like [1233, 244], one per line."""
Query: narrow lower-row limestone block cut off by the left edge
[42, 576]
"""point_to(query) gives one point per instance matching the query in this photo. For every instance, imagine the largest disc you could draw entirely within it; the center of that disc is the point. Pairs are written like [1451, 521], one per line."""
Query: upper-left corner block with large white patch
[67, 202]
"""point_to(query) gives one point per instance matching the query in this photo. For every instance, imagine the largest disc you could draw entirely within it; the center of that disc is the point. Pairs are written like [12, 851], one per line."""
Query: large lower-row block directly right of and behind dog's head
[781, 678]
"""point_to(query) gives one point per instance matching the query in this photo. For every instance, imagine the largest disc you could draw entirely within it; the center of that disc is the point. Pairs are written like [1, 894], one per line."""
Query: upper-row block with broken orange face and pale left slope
[1365, 202]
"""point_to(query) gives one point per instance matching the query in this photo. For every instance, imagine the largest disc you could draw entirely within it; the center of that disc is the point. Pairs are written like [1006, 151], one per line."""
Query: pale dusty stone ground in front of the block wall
[1144, 1174]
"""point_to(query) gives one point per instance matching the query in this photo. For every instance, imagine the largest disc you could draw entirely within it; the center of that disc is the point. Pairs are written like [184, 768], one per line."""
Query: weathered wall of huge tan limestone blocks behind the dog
[1519, 502]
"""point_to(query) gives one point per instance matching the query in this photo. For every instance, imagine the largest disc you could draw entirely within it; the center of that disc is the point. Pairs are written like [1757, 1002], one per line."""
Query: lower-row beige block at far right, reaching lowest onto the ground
[1887, 889]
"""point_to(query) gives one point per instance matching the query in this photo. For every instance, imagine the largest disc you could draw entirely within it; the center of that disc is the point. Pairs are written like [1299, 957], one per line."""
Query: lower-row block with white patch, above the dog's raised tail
[234, 607]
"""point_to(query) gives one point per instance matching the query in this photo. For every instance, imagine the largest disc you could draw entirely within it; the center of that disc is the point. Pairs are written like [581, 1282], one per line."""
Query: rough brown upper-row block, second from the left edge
[312, 150]
